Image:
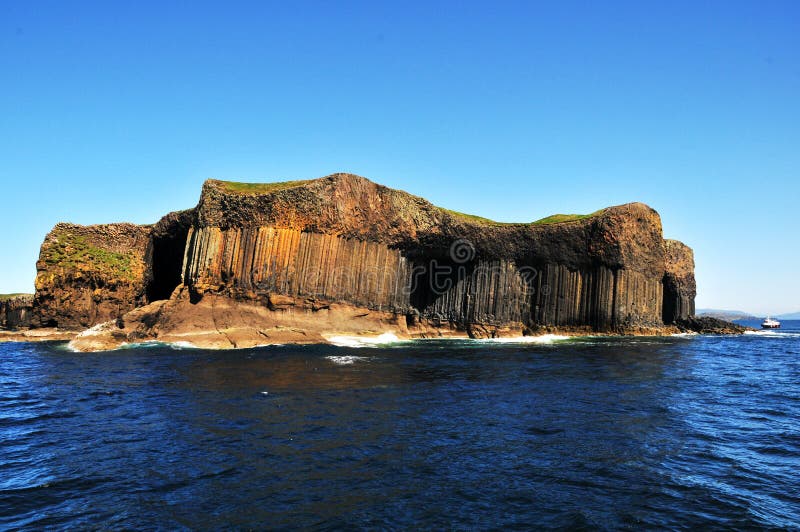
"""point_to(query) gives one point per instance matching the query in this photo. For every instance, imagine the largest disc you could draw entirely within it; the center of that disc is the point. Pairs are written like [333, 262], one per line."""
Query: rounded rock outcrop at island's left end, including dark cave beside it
[91, 274]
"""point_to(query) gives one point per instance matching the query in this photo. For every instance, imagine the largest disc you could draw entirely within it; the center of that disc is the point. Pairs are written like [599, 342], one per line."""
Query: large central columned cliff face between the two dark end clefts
[344, 238]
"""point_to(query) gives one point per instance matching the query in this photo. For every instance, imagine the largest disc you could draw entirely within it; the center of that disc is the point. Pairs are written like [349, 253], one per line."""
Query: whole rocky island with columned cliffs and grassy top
[303, 261]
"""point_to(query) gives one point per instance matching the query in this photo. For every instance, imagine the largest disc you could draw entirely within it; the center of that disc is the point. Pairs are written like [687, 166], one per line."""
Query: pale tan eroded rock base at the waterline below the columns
[219, 322]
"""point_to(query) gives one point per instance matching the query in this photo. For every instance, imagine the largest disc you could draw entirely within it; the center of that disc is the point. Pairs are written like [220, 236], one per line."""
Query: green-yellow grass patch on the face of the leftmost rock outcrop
[75, 251]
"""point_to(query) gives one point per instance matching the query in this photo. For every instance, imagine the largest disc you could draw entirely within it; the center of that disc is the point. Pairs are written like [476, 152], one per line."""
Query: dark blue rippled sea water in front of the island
[608, 433]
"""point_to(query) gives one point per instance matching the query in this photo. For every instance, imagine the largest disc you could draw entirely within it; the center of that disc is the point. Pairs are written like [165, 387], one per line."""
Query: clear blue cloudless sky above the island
[118, 111]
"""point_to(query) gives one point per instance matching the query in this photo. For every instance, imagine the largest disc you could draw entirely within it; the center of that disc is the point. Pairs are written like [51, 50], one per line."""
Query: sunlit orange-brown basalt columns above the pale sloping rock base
[249, 262]
